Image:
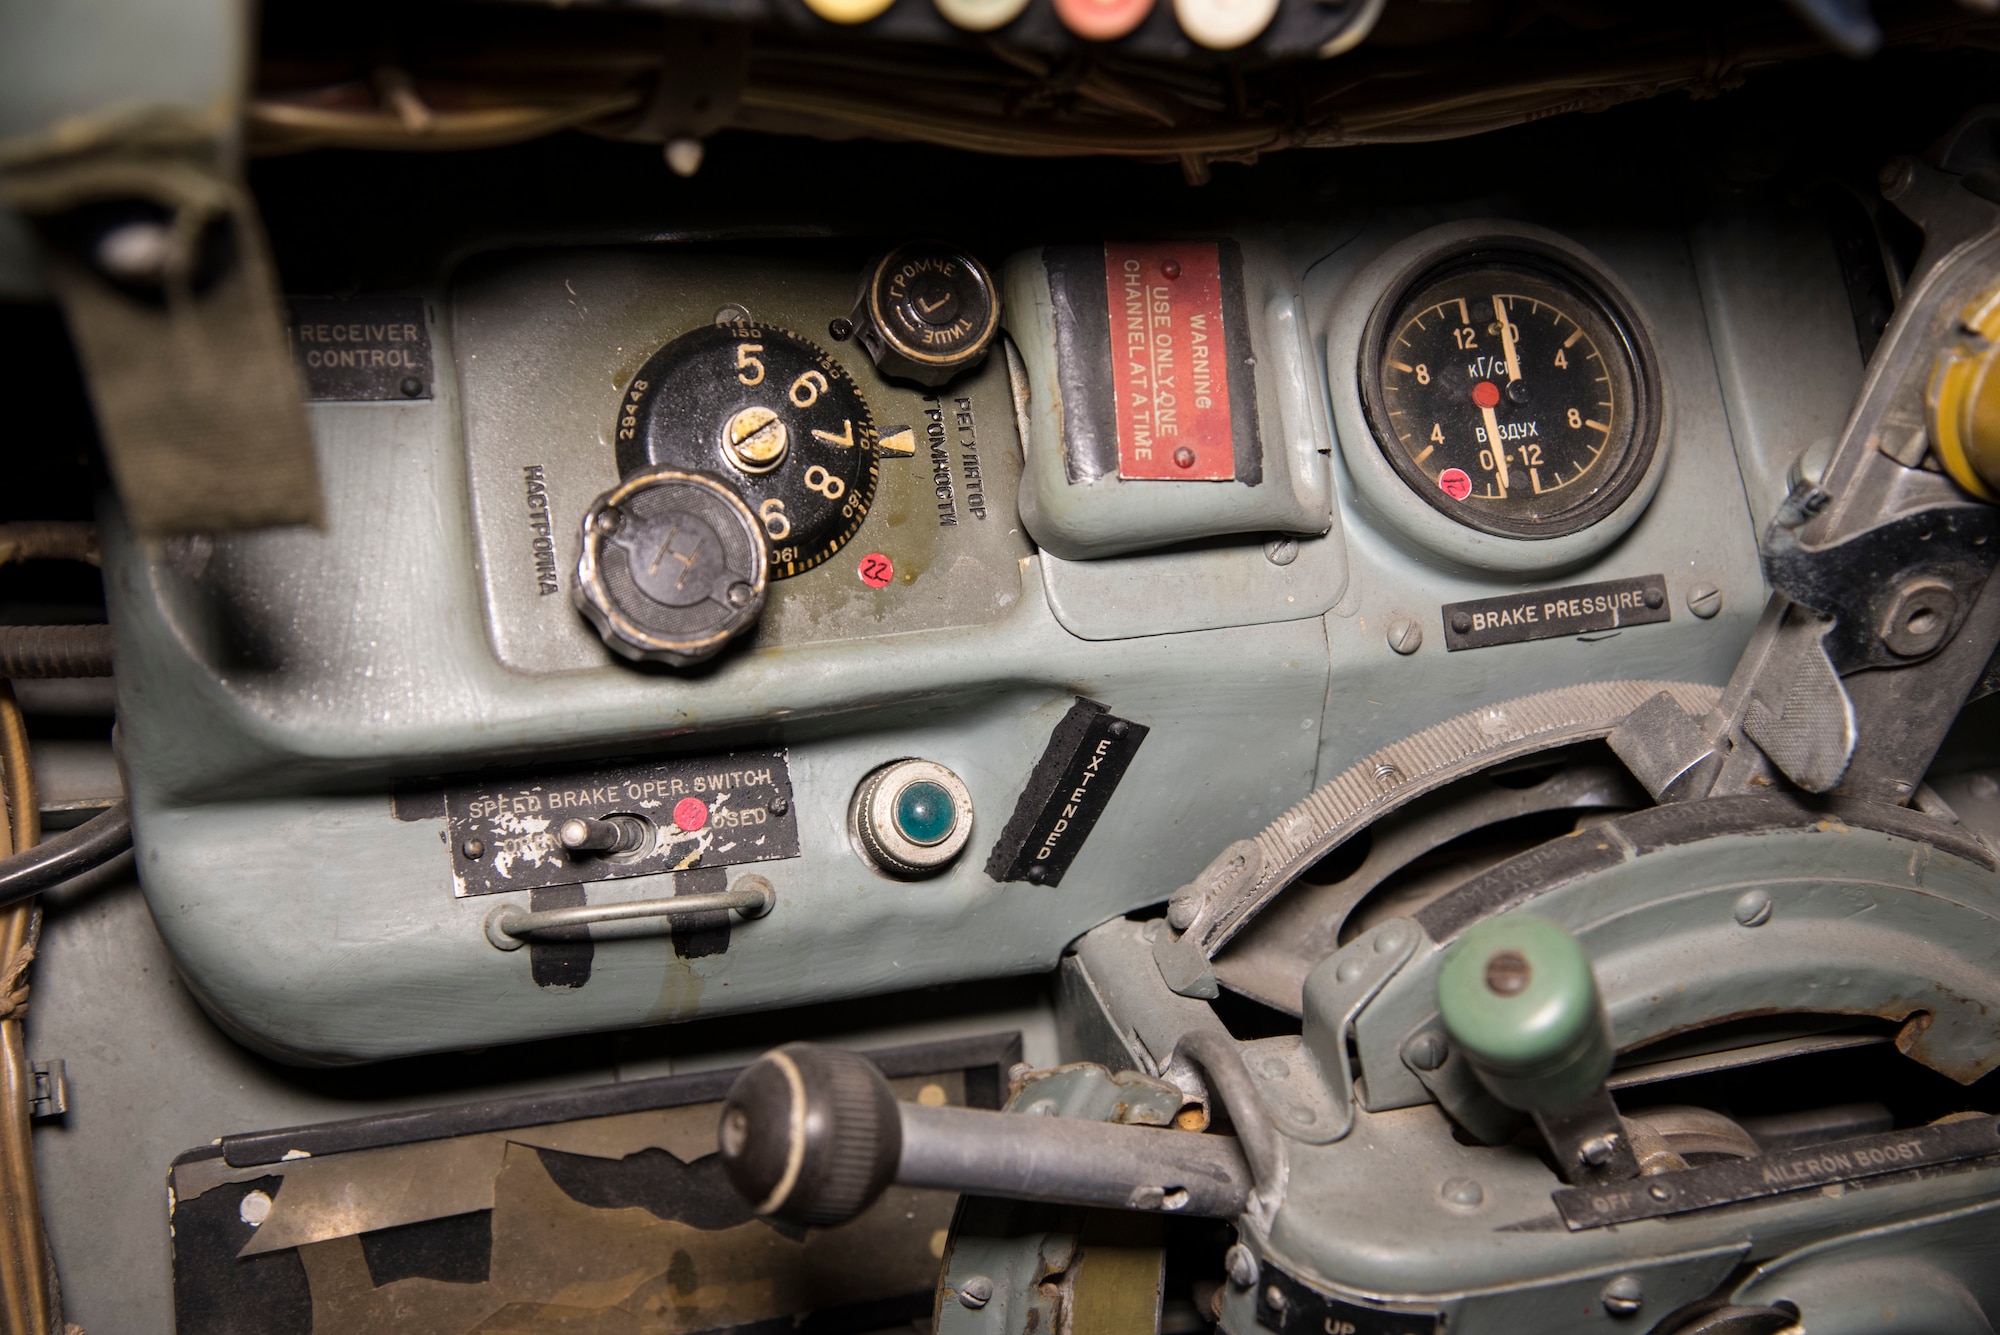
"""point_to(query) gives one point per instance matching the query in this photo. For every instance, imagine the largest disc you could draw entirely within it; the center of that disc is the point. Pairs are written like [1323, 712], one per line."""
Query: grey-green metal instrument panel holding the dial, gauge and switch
[287, 684]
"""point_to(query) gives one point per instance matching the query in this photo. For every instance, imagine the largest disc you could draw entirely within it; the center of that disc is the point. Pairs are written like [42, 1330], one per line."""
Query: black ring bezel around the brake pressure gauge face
[1565, 273]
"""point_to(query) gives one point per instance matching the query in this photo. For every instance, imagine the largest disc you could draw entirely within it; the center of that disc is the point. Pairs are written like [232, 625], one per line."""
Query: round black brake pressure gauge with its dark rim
[1513, 393]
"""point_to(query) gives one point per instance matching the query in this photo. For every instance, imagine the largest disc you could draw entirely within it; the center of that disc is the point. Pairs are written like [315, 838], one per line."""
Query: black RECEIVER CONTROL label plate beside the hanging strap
[369, 349]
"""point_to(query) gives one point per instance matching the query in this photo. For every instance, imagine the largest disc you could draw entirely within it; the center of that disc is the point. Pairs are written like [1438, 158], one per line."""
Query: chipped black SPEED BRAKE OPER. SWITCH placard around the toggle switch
[709, 812]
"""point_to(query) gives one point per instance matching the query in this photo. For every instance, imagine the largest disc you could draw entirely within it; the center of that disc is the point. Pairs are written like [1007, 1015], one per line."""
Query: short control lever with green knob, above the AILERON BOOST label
[1519, 998]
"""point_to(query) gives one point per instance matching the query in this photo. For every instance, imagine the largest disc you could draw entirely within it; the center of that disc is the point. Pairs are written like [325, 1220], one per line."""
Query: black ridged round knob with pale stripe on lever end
[811, 1134]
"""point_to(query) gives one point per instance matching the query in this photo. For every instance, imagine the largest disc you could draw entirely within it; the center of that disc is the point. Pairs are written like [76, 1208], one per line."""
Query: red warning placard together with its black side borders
[1153, 361]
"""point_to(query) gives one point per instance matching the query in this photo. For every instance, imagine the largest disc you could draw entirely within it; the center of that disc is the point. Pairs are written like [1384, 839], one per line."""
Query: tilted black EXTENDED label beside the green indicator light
[1067, 792]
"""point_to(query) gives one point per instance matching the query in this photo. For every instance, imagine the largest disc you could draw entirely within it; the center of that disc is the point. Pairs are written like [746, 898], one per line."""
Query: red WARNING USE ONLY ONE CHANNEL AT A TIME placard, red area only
[1171, 371]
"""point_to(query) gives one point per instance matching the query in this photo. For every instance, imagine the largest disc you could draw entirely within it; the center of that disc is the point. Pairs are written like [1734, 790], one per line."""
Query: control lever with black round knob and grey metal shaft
[815, 1136]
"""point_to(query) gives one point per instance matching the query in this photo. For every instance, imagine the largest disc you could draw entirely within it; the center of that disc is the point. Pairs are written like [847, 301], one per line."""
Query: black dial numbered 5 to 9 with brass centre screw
[773, 417]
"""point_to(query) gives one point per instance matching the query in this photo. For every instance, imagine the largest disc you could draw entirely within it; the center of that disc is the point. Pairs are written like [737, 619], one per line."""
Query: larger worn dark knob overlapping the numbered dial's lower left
[673, 567]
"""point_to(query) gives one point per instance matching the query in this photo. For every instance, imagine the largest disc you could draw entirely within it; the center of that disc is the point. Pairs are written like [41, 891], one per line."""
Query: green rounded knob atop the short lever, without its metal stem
[1519, 998]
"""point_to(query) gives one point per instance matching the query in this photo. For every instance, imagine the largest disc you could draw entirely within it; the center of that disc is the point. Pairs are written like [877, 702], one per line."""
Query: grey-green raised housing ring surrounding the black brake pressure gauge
[1383, 499]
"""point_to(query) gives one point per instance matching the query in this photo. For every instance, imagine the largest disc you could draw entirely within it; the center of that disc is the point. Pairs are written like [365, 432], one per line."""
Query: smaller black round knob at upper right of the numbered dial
[929, 313]
